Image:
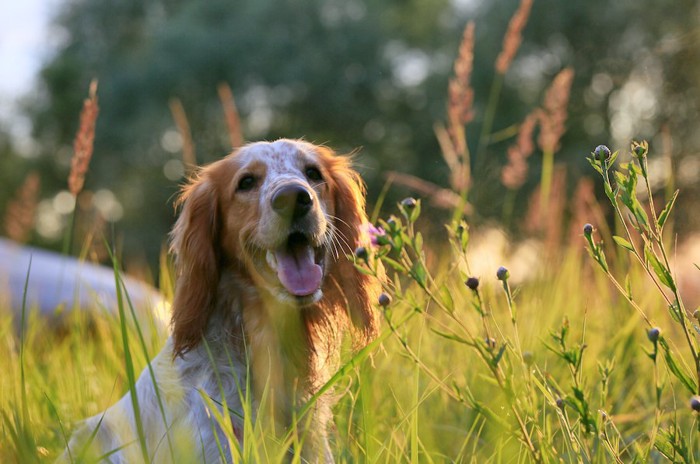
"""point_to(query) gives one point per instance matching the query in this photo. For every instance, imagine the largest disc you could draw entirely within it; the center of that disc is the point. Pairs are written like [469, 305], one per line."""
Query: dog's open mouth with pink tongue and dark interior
[298, 265]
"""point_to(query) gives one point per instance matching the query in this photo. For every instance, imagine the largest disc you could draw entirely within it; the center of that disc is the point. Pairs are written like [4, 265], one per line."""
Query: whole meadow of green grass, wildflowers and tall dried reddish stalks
[588, 355]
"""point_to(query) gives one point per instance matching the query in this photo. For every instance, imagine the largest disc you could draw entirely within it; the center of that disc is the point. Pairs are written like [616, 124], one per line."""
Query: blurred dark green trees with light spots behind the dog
[367, 74]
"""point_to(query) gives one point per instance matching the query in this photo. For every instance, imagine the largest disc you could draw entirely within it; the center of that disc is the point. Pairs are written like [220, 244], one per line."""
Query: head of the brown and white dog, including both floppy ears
[282, 214]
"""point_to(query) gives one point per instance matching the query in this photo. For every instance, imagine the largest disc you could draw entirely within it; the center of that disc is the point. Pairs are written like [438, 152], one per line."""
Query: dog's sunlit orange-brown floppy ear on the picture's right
[357, 290]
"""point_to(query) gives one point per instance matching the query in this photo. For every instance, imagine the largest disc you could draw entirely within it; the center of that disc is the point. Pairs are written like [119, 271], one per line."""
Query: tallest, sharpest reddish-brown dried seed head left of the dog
[84, 141]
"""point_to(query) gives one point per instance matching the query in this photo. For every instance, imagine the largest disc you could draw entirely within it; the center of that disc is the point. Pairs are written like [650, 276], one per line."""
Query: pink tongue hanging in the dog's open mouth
[297, 270]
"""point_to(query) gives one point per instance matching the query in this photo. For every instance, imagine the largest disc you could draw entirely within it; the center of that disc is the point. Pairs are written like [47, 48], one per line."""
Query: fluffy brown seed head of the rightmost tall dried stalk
[553, 120]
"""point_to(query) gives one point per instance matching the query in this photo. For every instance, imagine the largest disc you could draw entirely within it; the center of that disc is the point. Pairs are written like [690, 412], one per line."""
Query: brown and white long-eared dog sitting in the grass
[263, 296]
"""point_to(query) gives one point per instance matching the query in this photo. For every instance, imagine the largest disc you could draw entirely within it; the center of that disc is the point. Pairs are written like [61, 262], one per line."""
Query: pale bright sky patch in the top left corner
[24, 34]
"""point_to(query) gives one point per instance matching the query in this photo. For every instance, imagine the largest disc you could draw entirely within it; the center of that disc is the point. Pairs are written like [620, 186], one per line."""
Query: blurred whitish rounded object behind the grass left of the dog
[59, 283]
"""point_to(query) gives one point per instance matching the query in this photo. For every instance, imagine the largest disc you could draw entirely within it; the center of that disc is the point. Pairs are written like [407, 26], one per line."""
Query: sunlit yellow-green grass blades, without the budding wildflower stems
[422, 396]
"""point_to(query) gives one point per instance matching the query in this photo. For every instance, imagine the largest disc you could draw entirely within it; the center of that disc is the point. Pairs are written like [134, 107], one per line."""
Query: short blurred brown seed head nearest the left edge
[21, 211]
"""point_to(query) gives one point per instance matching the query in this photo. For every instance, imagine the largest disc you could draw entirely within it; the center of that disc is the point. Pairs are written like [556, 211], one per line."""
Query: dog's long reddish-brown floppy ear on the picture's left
[194, 241]
